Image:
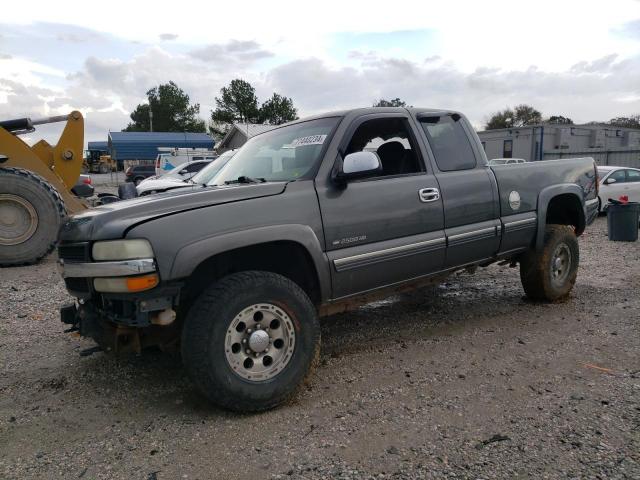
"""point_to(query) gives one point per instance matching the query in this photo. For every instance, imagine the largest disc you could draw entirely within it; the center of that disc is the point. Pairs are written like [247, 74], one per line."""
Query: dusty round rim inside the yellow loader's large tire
[18, 219]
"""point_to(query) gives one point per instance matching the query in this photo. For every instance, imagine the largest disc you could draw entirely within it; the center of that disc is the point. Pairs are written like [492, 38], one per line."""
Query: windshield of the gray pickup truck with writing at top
[285, 154]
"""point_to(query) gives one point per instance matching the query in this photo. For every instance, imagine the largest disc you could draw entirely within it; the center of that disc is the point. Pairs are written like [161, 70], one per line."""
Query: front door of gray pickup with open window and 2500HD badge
[388, 228]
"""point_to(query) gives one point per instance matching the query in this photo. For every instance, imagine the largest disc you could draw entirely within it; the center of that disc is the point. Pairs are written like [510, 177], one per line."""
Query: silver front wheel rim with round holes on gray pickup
[259, 342]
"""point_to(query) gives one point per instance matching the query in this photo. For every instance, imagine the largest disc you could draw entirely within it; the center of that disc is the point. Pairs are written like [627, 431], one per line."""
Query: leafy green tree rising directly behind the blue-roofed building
[171, 110]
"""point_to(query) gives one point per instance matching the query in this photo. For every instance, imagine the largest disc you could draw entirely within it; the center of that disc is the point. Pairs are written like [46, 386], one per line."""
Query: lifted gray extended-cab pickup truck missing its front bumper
[315, 217]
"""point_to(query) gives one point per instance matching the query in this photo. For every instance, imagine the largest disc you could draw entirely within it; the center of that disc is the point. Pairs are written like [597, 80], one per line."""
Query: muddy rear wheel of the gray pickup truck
[546, 275]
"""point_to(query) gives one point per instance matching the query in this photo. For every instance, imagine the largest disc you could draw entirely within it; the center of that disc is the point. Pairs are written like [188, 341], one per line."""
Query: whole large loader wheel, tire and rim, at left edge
[31, 212]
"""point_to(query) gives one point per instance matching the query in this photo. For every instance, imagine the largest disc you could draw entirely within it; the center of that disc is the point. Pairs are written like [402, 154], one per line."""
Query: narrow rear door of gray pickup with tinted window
[467, 188]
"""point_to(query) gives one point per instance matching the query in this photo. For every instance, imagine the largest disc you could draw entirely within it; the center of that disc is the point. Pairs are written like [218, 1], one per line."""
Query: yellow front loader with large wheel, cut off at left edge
[35, 187]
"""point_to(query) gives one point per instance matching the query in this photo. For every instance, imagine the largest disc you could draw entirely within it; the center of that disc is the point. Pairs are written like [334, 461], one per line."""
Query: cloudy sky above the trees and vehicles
[575, 58]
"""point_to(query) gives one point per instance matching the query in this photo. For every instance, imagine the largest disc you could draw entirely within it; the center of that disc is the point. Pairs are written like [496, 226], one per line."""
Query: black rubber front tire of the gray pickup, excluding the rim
[205, 345]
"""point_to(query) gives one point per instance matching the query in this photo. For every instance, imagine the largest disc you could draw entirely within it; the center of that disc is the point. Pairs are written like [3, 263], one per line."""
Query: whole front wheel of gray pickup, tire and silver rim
[251, 340]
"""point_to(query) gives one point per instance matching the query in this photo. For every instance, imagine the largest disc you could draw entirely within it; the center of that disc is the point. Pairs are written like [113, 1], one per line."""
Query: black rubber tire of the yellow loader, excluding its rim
[49, 208]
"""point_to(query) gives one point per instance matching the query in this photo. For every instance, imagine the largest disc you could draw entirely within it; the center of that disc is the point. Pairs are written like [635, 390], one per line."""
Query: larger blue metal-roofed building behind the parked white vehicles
[144, 145]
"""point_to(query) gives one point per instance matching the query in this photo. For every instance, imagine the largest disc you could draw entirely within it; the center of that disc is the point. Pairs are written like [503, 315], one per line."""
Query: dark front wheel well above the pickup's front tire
[287, 258]
